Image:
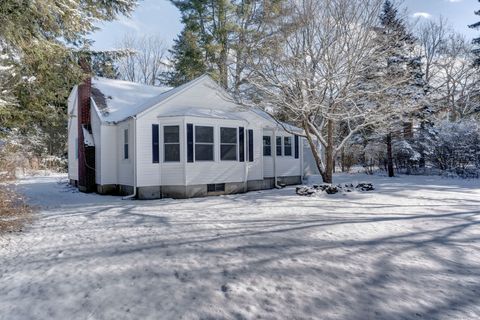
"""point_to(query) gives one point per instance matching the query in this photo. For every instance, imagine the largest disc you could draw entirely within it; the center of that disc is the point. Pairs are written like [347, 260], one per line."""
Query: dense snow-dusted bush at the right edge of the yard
[456, 147]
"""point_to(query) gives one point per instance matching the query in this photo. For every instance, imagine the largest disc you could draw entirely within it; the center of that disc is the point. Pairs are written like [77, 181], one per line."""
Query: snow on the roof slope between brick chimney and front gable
[116, 100]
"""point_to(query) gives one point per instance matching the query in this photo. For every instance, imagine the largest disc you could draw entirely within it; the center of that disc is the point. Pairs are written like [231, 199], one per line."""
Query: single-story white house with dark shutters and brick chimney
[153, 142]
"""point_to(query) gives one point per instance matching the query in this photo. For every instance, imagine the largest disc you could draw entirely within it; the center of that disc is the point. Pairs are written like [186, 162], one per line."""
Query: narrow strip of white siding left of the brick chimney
[72, 135]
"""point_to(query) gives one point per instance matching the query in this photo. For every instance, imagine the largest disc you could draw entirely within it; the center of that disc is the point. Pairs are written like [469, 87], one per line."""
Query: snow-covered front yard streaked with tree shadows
[409, 250]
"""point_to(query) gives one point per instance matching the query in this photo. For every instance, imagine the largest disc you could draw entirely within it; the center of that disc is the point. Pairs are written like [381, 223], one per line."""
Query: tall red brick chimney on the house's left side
[86, 154]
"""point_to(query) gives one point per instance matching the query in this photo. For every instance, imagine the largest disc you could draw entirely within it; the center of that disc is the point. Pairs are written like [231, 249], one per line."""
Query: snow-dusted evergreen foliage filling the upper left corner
[41, 38]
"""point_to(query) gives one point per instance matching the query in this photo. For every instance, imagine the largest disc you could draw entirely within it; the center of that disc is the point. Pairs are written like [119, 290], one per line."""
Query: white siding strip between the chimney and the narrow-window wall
[109, 152]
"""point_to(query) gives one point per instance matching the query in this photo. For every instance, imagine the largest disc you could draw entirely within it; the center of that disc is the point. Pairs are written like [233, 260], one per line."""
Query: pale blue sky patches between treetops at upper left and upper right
[160, 17]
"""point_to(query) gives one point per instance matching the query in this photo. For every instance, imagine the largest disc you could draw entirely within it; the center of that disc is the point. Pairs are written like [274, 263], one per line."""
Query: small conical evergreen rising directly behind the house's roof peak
[187, 58]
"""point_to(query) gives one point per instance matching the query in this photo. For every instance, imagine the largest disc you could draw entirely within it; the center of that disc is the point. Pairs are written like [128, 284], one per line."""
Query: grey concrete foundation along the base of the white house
[193, 191]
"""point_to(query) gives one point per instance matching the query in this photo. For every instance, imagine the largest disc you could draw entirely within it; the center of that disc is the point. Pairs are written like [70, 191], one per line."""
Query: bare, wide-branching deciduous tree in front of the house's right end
[312, 68]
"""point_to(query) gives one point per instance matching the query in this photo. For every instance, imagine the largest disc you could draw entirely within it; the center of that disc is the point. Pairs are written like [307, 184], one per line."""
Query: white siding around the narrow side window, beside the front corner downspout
[125, 166]
